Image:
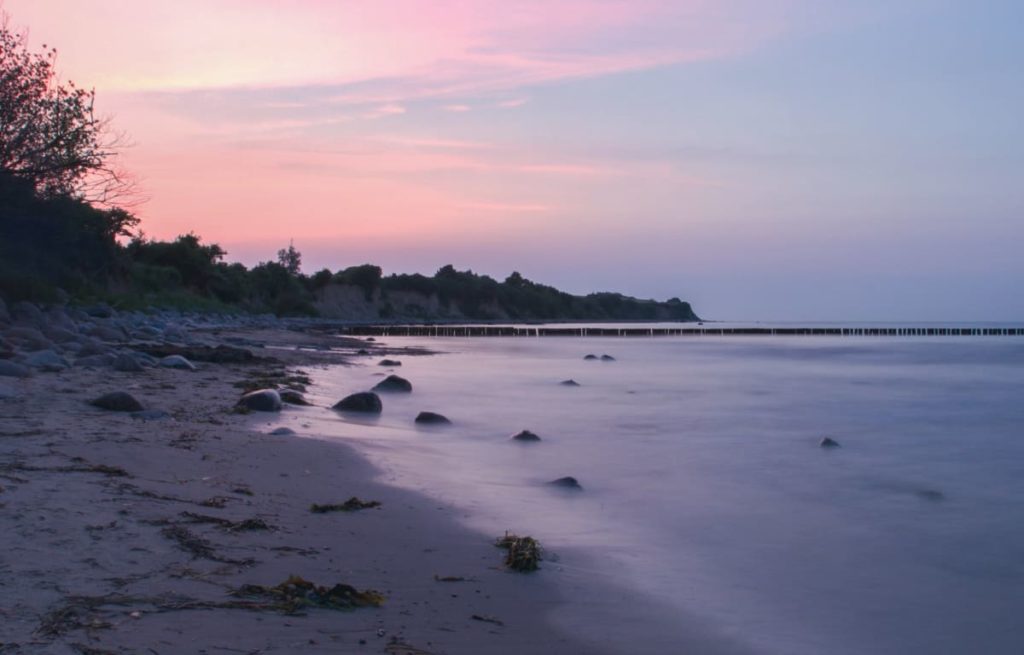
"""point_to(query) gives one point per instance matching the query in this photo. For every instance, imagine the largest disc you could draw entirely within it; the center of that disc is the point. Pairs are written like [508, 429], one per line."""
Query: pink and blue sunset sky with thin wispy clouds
[765, 160]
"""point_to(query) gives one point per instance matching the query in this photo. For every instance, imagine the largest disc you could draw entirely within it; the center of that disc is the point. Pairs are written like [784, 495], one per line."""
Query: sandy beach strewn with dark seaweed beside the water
[138, 534]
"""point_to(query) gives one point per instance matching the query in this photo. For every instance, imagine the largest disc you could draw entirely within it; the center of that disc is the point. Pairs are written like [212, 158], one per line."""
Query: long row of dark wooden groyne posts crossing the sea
[696, 331]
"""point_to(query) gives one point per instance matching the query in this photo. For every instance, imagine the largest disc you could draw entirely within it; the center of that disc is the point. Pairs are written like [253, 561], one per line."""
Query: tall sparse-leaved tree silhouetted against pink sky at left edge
[50, 134]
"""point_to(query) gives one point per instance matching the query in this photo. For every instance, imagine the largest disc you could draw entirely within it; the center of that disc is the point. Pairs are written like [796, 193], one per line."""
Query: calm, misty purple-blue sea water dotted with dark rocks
[707, 494]
